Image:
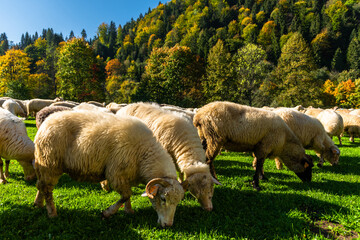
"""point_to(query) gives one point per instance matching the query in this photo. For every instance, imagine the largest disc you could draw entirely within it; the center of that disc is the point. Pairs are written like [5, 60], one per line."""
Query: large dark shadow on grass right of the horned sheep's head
[254, 215]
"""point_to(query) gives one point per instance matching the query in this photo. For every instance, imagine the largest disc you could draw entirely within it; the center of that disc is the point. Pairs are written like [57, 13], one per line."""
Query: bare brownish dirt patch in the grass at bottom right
[333, 230]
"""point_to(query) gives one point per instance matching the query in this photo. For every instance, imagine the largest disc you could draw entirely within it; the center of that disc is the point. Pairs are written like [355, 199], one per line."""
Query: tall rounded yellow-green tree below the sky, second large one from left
[77, 72]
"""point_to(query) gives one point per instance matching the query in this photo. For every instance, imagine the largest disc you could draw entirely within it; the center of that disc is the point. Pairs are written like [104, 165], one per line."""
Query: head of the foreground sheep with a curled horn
[164, 194]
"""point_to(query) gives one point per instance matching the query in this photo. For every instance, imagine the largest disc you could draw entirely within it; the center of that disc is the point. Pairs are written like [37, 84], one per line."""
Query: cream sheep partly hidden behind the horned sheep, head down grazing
[179, 137]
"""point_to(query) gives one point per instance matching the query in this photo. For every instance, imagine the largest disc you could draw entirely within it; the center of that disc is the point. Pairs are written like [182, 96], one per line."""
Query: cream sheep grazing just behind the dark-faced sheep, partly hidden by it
[311, 134]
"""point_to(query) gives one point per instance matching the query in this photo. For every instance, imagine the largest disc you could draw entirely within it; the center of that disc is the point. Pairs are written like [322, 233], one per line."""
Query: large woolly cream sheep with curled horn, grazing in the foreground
[92, 146]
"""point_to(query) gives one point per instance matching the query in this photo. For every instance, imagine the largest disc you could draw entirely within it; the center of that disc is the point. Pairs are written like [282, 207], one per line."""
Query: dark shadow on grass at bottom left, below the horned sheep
[27, 222]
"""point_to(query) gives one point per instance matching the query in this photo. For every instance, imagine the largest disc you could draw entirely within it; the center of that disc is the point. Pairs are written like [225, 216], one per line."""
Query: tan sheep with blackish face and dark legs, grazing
[241, 128]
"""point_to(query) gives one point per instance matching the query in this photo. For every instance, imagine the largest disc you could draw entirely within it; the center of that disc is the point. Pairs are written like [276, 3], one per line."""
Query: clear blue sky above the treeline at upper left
[20, 16]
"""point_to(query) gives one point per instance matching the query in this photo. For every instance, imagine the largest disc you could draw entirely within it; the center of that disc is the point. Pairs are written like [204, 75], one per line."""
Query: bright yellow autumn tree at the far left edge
[14, 73]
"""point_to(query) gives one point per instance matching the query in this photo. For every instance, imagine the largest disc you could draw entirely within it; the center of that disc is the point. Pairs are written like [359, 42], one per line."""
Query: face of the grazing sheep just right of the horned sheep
[201, 186]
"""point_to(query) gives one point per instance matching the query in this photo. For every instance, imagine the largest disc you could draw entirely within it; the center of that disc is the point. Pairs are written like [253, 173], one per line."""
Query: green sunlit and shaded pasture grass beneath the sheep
[286, 208]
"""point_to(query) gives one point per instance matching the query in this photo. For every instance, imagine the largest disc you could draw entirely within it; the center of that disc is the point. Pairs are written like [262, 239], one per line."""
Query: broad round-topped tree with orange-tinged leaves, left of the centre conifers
[174, 76]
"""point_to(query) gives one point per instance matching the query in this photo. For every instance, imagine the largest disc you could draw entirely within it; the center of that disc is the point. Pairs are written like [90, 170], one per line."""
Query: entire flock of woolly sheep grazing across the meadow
[168, 148]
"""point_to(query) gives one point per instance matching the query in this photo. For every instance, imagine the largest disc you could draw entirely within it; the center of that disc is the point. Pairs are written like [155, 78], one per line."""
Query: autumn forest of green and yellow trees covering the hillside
[191, 52]
